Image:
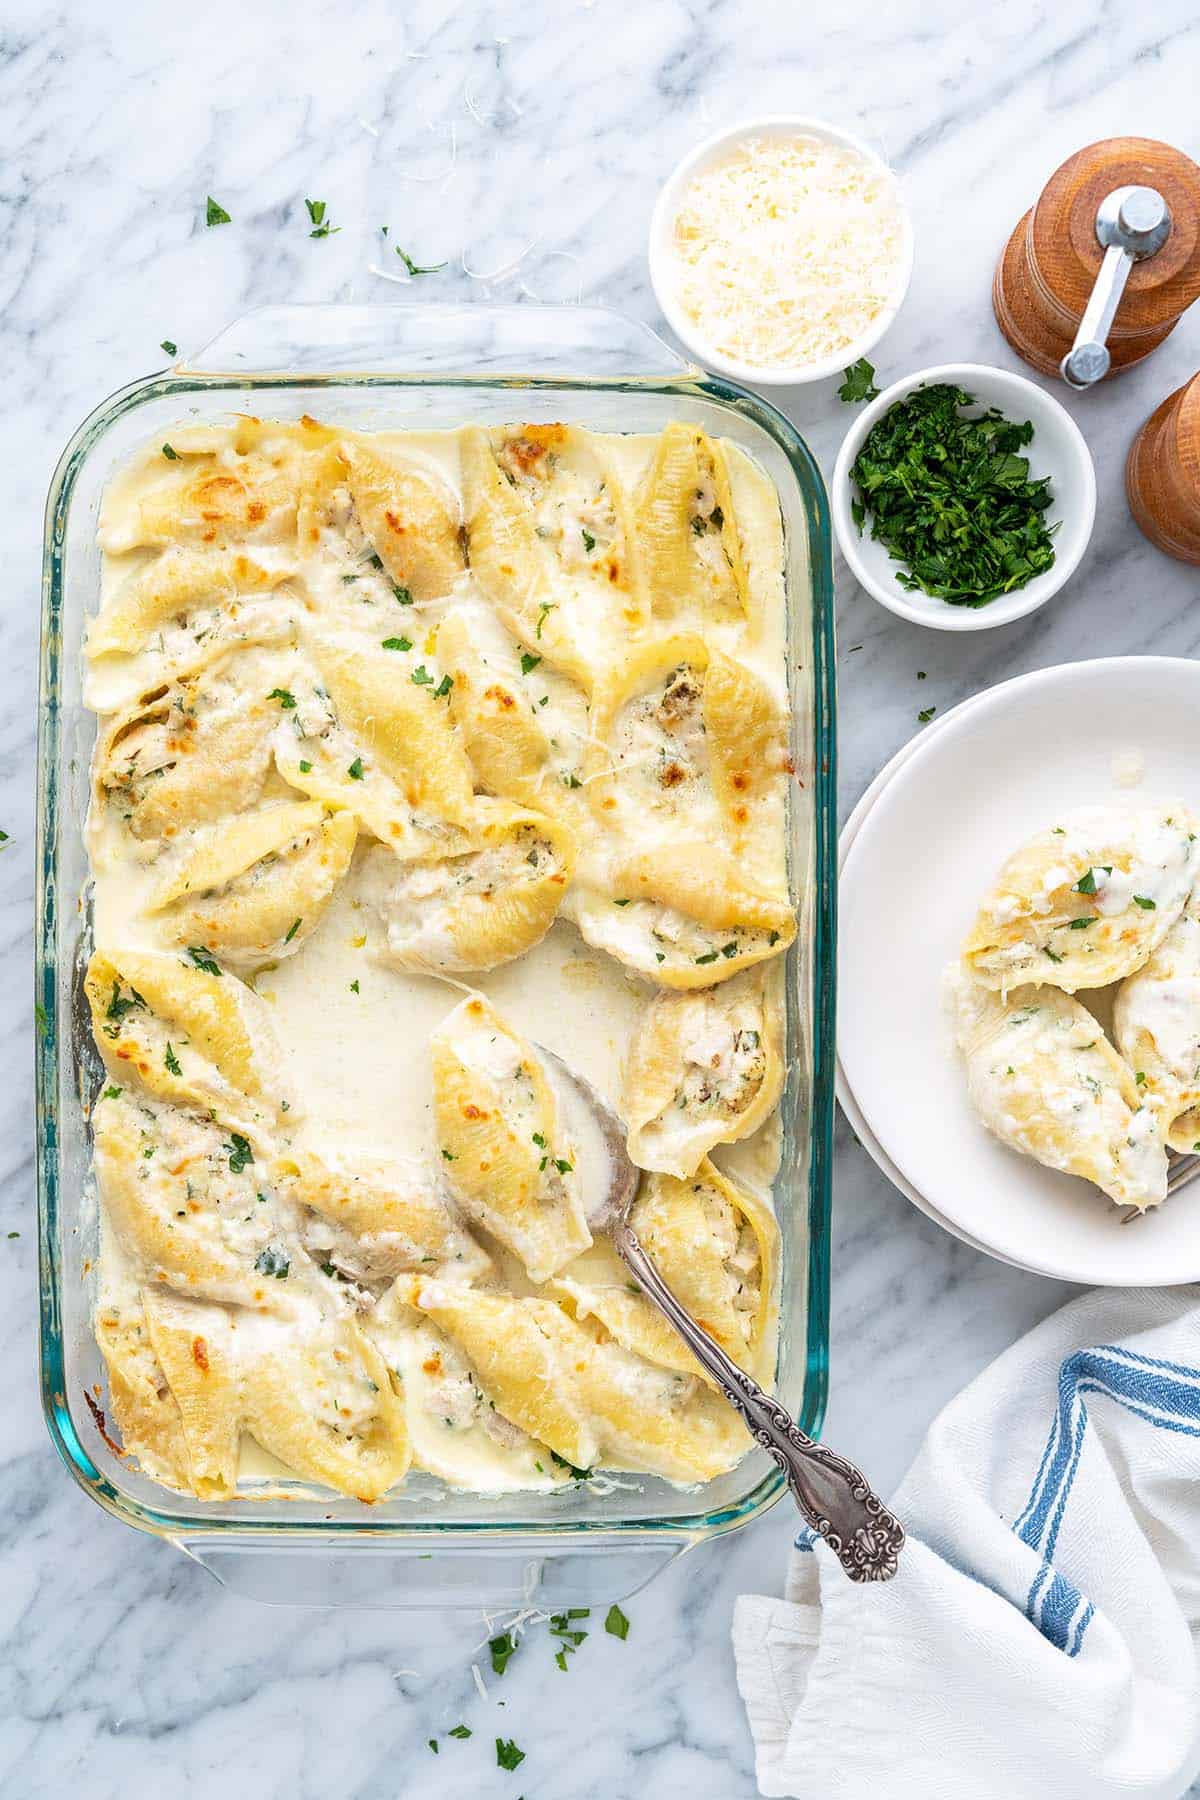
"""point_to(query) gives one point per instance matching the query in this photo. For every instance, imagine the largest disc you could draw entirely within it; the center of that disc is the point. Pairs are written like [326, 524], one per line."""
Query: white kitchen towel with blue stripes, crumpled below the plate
[1041, 1635]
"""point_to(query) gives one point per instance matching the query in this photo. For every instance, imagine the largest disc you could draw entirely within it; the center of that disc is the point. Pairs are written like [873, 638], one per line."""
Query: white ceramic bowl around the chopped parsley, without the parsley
[1057, 451]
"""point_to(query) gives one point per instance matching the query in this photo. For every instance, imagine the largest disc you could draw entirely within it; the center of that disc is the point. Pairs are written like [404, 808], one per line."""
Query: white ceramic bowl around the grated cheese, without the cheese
[663, 256]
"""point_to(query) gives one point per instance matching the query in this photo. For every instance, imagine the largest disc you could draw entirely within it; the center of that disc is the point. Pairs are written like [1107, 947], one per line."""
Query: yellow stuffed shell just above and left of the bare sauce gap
[256, 890]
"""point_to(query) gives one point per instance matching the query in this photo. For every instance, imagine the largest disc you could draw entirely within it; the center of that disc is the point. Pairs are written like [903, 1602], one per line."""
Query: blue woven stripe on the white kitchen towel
[1163, 1394]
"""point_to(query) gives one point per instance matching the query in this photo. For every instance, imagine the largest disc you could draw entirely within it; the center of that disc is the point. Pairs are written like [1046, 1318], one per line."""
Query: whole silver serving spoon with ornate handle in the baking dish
[830, 1493]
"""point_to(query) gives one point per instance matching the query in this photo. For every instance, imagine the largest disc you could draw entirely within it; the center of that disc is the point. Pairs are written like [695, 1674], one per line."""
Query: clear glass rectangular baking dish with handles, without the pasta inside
[425, 368]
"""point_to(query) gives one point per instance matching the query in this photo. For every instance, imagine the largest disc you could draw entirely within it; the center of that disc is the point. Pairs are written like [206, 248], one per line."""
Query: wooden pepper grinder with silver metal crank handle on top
[1100, 271]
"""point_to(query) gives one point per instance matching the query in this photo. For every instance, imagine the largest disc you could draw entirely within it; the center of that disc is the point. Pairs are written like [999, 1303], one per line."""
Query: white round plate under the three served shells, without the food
[962, 800]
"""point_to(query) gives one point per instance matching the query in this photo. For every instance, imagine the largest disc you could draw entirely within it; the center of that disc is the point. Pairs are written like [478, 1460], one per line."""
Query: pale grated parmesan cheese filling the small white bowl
[787, 251]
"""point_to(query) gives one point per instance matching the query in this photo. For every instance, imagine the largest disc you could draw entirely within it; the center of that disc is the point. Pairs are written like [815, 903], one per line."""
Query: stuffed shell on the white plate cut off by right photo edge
[1156, 1025]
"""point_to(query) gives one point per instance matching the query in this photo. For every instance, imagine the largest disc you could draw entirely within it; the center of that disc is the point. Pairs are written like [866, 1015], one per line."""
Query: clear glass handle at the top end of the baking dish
[433, 339]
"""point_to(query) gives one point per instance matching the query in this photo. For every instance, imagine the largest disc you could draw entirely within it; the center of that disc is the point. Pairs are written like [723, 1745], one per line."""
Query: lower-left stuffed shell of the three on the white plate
[1046, 1081]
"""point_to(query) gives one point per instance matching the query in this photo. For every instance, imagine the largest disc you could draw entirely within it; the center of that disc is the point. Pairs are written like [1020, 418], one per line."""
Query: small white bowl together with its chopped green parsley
[963, 498]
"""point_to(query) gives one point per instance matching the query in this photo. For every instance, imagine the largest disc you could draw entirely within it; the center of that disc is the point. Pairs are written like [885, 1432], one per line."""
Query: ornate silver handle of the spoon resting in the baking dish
[832, 1495]
